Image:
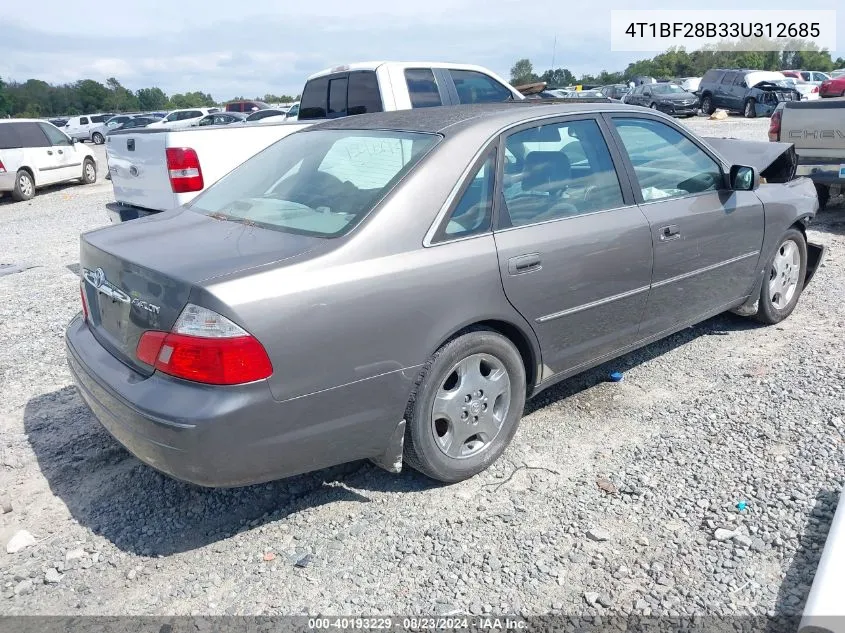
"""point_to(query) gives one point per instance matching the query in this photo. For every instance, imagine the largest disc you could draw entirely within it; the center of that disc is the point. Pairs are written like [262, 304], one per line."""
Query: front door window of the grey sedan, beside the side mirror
[667, 164]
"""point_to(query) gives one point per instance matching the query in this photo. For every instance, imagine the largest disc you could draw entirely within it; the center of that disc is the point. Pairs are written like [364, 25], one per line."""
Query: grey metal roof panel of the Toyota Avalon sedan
[448, 120]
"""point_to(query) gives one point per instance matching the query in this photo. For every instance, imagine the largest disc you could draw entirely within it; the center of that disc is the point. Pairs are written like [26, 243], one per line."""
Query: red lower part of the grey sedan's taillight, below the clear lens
[214, 361]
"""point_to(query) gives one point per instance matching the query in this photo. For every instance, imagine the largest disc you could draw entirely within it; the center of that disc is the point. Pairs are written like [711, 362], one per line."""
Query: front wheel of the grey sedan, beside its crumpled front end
[784, 273]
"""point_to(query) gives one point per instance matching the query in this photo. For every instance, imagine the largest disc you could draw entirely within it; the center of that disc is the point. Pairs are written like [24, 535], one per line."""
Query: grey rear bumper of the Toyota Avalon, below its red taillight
[231, 436]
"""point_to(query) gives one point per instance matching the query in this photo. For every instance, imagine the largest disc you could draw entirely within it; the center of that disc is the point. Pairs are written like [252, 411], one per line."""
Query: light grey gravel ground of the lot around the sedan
[617, 511]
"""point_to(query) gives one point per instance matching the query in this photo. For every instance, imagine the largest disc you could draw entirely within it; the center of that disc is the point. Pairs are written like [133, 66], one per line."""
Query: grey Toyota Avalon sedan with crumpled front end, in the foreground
[394, 286]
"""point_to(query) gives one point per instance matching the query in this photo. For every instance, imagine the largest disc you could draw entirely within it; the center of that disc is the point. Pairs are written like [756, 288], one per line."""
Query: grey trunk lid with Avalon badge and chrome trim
[139, 275]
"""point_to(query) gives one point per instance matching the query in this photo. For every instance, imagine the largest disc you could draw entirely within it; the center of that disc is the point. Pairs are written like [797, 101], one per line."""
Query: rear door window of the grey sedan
[558, 170]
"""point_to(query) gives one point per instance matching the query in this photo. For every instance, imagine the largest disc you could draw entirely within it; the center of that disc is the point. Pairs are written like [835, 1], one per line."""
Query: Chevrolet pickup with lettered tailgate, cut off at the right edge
[817, 131]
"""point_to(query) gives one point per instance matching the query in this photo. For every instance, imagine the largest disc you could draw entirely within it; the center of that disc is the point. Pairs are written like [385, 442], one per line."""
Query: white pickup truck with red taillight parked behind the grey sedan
[153, 170]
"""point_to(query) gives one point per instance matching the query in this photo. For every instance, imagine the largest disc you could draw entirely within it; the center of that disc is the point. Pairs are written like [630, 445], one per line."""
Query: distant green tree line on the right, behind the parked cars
[677, 62]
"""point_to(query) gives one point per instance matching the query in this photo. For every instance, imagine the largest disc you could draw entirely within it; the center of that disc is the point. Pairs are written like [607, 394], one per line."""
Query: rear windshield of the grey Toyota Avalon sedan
[319, 183]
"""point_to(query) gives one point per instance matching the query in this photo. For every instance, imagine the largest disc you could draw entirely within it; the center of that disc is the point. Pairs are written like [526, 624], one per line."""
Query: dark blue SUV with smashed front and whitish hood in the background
[752, 92]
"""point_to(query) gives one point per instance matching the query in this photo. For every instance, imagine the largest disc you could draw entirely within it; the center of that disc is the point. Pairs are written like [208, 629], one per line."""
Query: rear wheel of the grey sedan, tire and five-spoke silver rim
[468, 431]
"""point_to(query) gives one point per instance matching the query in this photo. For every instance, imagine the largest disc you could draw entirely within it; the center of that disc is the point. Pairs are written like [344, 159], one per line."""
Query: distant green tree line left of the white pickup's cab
[37, 99]
